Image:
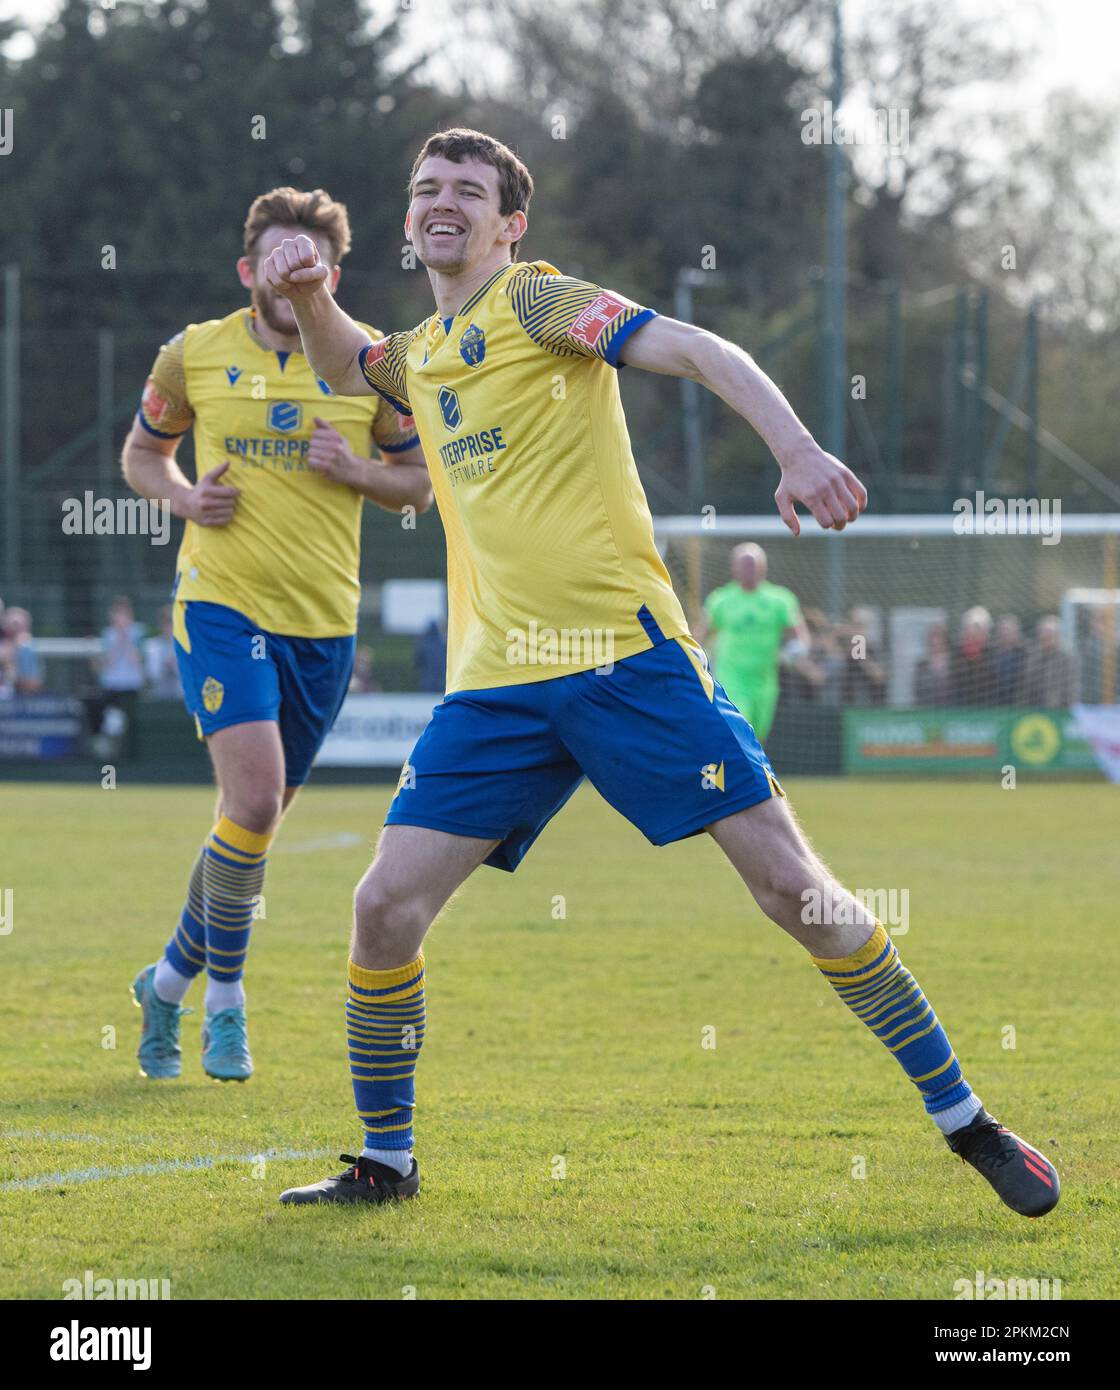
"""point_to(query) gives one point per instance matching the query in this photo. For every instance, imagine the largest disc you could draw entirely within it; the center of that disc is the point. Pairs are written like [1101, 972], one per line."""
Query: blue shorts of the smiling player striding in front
[655, 735]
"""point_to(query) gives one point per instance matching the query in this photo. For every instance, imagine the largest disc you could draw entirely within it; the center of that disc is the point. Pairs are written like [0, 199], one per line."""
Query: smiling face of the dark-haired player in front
[455, 218]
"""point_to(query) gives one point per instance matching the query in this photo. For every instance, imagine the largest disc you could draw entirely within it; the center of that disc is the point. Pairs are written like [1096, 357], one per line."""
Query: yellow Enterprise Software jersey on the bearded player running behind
[290, 558]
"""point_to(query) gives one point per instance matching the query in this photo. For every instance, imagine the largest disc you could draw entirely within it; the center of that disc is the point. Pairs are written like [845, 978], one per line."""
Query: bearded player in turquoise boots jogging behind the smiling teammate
[266, 591]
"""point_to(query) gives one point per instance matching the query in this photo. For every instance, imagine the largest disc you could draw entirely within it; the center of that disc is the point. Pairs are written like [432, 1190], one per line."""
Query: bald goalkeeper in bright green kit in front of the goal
[757, 625]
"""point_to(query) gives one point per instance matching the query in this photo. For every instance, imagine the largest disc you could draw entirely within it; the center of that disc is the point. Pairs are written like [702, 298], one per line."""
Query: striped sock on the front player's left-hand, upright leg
[386, 1017]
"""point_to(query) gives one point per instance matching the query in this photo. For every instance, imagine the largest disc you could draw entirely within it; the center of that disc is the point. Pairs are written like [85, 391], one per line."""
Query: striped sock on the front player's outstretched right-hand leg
[879, 989]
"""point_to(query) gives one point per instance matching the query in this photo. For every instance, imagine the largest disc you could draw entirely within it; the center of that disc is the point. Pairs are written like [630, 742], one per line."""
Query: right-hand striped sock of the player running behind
[233, 878]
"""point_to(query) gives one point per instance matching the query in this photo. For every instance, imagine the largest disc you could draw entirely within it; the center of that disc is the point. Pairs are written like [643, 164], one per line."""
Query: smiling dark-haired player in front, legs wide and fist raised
[513, 386]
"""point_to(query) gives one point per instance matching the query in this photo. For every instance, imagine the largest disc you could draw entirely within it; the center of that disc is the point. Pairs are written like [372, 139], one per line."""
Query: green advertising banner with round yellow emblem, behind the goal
[964, 740]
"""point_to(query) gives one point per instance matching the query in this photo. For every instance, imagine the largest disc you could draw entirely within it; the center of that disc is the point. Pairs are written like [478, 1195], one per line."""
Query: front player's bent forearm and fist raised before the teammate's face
[331, 340]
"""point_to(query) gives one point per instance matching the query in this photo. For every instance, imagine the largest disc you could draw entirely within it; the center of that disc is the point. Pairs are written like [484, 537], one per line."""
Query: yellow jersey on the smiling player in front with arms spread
[552, 566]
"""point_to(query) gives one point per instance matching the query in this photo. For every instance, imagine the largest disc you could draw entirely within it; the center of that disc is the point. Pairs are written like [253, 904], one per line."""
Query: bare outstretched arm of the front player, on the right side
[827, 487]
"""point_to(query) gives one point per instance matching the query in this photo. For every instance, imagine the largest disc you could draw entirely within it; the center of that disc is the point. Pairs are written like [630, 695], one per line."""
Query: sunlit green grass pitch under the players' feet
[577, 1139]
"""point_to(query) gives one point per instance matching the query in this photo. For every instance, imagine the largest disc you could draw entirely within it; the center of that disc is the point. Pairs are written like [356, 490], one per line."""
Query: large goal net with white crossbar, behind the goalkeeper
[919, 635]
